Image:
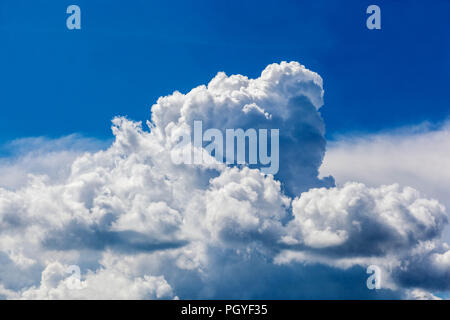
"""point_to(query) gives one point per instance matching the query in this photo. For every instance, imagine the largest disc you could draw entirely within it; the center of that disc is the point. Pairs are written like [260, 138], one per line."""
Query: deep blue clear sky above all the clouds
[56, 82]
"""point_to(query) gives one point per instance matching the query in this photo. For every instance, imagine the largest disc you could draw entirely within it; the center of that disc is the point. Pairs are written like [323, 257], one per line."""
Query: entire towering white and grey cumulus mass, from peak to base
[140, 226]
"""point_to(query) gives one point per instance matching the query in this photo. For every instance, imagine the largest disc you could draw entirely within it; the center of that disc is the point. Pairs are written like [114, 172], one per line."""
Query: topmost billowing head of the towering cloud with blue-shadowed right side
[286, 96]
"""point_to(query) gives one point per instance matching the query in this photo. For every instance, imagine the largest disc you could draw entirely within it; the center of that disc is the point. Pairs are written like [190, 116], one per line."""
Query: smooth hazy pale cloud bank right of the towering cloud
[412, 156]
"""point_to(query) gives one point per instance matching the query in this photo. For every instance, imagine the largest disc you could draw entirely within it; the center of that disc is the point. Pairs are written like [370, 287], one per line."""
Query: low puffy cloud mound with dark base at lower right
[392, 227]
